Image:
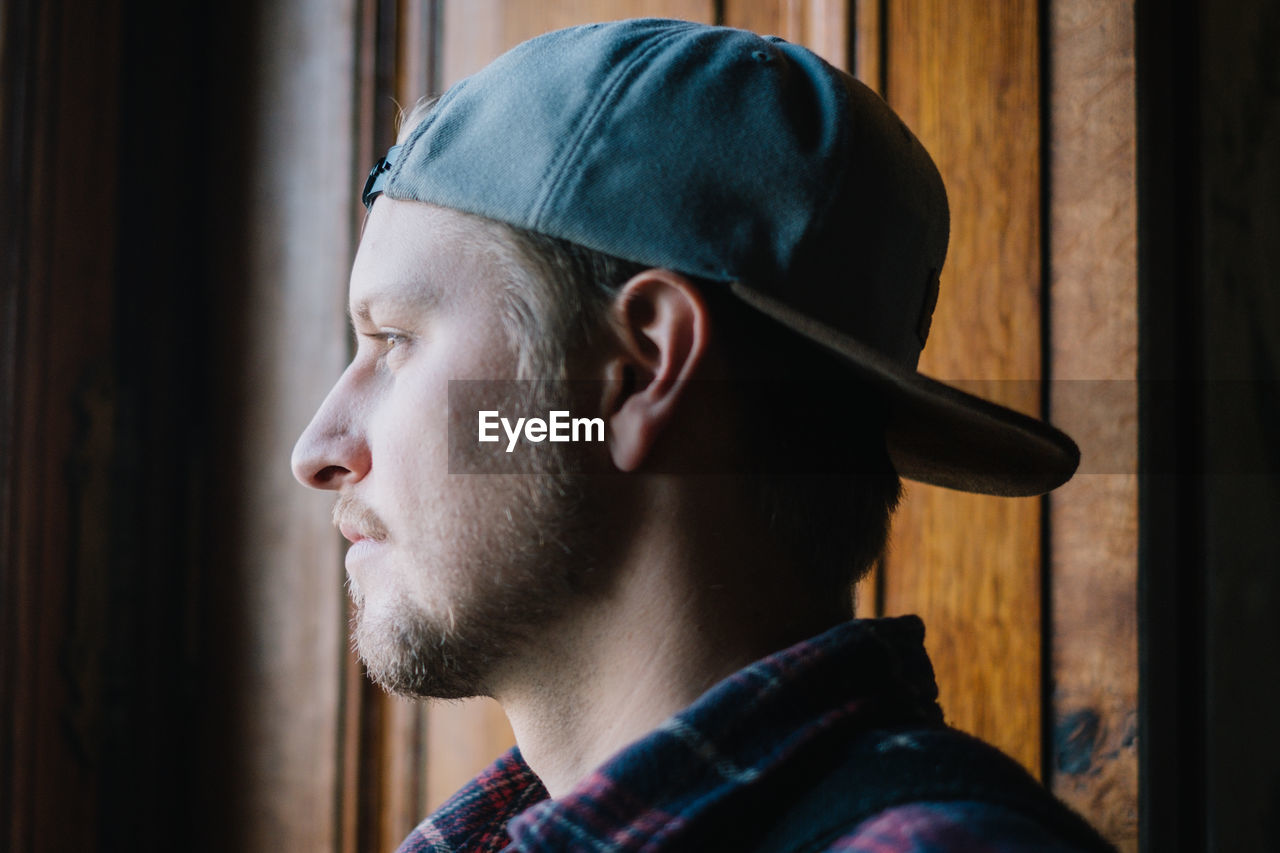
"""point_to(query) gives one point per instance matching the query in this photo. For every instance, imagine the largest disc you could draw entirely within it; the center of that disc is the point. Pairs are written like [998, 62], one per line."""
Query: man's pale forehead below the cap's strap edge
[414, 254]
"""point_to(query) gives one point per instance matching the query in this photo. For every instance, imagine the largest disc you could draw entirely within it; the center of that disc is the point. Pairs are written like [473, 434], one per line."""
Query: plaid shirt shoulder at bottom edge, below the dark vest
[963, 827]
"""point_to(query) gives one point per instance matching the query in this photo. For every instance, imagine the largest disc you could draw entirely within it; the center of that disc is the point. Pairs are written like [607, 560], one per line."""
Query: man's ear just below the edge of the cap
[664, 327]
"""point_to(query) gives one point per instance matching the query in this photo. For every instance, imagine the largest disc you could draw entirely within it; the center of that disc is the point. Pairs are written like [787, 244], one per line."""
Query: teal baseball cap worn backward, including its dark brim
[746, 161]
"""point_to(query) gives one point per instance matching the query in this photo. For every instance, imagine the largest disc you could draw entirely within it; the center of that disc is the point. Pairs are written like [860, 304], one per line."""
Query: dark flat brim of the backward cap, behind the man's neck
[938, 434]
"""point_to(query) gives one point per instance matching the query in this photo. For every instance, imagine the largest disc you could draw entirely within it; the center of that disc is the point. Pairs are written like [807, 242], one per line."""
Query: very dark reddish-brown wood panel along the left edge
[61, 129]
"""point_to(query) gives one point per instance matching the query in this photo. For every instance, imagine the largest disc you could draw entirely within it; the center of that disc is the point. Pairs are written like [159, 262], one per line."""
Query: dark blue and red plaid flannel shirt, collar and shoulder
[714, 777]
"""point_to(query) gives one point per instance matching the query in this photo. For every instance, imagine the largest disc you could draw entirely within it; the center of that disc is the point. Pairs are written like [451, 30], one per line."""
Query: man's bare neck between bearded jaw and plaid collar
[688, 608]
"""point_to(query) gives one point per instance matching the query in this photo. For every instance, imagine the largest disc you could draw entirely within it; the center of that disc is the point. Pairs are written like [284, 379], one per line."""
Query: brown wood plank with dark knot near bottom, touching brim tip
[1094, 336]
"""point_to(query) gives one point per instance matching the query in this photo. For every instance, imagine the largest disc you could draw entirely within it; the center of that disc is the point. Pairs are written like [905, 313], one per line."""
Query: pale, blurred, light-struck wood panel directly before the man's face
[284, 239]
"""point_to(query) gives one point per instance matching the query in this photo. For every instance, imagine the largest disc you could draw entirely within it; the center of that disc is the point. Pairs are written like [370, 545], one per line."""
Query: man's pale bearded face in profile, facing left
[449, 573]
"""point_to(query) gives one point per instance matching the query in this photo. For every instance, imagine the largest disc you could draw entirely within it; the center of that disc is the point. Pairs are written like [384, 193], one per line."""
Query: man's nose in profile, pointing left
[333, 450]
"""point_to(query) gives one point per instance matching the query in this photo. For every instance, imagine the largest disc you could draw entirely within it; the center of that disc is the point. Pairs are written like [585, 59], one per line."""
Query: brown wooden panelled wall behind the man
[180, 213]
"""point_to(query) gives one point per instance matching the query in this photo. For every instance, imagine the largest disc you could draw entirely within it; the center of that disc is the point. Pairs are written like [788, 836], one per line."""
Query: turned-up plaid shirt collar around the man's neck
[863, 673]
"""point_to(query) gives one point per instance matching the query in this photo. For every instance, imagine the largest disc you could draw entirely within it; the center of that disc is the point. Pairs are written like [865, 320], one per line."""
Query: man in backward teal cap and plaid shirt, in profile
[726, 253]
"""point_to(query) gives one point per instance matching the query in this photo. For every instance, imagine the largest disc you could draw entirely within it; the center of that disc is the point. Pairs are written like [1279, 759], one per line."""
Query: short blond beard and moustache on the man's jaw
[515, 568]
